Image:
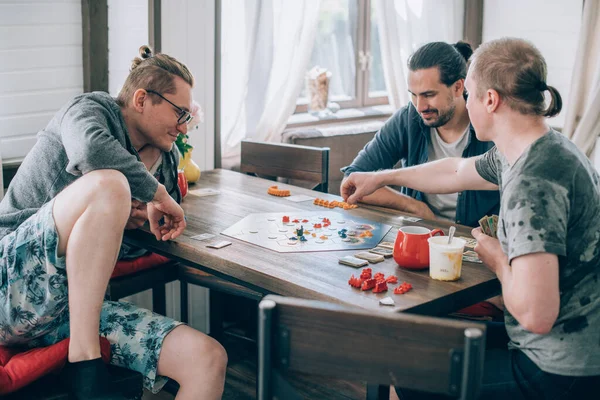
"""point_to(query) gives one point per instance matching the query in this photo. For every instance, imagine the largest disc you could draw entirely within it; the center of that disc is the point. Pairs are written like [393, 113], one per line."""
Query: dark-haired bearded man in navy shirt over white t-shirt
[435, 125]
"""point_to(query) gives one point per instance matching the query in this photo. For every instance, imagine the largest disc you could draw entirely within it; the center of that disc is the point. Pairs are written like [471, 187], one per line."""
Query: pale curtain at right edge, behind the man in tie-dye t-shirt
[582, 120]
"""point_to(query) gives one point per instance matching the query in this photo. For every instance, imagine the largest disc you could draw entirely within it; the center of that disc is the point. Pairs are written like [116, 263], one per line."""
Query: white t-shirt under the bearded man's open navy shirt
[444, 205]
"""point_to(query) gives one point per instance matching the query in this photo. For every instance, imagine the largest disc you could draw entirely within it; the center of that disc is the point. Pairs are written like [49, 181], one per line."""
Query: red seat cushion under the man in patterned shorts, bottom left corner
[19, 368]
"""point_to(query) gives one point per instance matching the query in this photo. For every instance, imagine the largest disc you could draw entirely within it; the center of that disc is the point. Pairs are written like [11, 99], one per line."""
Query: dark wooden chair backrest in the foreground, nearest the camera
[416, 352]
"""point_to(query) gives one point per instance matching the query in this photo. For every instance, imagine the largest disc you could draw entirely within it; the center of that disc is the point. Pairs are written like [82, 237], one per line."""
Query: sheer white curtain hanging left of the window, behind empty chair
[266, 47]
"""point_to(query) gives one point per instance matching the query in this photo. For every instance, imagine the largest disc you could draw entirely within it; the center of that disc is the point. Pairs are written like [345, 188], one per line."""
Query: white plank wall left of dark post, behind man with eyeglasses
[41, 68]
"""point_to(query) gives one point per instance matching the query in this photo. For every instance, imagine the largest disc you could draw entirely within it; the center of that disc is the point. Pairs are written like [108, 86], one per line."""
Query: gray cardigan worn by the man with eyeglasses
[87, 134]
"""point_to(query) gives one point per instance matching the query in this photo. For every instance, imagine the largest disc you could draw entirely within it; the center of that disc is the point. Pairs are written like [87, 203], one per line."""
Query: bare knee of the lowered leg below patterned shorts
[196, 361]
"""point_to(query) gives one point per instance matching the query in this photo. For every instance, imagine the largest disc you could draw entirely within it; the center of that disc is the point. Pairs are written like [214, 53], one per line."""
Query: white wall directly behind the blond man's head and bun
[552, 25]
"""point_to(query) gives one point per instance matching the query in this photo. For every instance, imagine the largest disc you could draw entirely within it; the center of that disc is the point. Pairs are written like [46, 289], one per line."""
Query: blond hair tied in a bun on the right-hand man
[516, 69]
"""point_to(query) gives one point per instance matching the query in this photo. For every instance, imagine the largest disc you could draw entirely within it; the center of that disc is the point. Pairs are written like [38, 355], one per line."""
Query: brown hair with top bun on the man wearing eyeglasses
[153, 72]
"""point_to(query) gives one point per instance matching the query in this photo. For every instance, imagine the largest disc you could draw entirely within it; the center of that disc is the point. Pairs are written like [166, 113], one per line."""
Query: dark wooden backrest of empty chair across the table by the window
[286, 161]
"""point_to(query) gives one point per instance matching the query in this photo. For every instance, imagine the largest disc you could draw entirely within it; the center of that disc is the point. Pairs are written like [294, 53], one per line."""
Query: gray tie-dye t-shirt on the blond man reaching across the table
[550, 202]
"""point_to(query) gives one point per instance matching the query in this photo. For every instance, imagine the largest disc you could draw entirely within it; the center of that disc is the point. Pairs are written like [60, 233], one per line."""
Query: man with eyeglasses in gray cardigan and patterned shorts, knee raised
[100, 166]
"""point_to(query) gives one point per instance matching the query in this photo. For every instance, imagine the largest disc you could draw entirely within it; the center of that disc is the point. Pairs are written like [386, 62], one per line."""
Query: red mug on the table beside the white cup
[411, 249]
